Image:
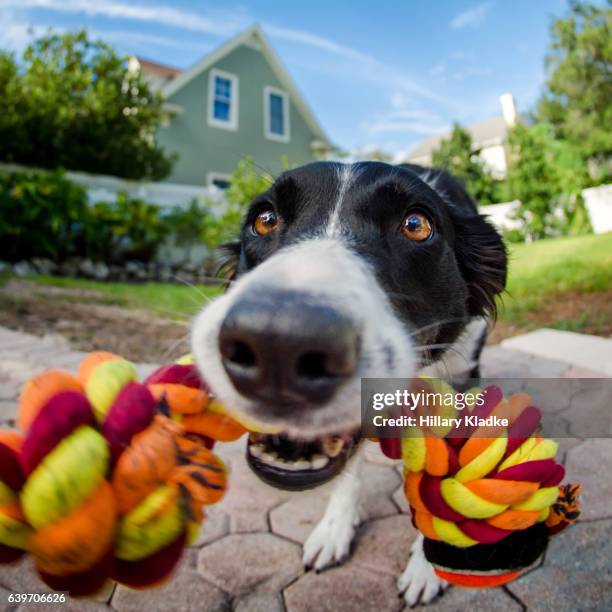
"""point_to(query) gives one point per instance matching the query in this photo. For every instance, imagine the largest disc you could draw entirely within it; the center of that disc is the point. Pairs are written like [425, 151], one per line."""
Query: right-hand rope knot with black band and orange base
[486, 498]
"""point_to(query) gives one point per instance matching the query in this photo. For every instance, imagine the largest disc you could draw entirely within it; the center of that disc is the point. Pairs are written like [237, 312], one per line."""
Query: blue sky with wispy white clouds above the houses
[378, 73]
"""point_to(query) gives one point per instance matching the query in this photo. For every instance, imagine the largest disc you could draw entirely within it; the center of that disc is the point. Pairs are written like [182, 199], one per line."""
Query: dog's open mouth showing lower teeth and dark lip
[294, 464]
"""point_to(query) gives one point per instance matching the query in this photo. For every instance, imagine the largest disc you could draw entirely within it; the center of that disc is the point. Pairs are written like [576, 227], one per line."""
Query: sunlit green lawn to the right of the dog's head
[544, 269]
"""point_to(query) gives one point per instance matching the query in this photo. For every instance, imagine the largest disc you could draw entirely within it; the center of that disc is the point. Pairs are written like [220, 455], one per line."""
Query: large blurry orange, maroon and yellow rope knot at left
[104, 480]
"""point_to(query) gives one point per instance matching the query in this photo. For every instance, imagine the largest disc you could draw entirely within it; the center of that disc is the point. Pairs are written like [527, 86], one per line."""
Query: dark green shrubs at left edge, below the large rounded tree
[42, 214]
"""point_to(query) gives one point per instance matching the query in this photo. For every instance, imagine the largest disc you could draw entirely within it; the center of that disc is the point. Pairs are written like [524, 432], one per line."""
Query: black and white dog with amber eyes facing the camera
[346, 271]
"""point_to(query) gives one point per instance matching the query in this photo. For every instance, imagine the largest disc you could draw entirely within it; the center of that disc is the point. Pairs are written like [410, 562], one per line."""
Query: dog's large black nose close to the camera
[283, 347]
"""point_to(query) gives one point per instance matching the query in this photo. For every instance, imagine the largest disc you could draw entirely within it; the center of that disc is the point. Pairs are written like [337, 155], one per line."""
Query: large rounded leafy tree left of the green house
[73, 103]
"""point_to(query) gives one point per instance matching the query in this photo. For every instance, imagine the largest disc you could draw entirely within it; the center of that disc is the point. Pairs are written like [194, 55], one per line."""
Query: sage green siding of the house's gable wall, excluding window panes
[207, 150]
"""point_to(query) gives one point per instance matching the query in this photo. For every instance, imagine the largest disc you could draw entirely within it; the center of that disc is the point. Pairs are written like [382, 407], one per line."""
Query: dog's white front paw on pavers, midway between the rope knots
[330, 541]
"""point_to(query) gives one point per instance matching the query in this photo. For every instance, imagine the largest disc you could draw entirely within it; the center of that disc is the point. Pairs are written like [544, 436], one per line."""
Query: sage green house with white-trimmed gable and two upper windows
[236, 102]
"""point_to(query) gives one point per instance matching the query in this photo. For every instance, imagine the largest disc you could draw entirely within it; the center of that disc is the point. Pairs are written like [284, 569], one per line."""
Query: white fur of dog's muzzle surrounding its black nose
[328, 273]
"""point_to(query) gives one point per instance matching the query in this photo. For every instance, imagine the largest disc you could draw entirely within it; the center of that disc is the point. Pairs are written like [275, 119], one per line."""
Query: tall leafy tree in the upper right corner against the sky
[576, 101]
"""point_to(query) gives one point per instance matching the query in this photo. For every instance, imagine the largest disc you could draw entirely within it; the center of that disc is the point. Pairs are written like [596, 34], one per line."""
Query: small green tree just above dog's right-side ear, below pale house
[457, 155]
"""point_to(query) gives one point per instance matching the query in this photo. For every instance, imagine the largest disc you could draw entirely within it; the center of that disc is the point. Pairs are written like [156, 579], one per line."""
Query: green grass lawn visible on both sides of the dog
[538, 274]
